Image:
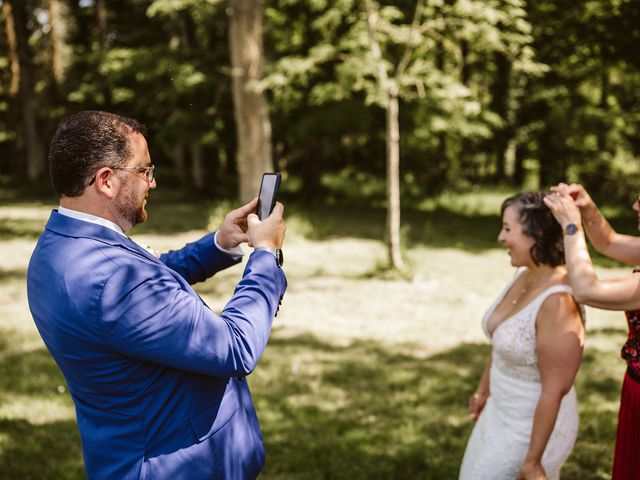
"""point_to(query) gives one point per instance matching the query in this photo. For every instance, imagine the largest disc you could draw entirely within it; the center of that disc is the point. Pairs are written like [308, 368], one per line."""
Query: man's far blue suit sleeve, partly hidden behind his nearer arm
[199, 260]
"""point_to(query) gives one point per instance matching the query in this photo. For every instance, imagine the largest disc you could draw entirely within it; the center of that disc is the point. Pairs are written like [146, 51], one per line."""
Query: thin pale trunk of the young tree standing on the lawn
[393, 180]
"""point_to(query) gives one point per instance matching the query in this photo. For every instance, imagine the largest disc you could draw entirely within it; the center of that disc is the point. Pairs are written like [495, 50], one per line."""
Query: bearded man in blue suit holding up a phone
[157, 378]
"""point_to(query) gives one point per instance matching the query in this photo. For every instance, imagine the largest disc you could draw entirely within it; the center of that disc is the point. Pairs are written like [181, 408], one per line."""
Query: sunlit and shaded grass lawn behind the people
[365, 377]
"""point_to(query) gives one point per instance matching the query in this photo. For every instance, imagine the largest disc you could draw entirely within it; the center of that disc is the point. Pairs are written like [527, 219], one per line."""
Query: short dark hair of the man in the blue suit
[86, 142]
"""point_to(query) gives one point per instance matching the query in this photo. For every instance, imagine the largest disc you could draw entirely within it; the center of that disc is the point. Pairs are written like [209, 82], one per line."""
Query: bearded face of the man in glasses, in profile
[132, 197]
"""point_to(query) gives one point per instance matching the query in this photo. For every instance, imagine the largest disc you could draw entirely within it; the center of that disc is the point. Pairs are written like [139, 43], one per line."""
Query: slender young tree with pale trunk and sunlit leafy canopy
[409, 52]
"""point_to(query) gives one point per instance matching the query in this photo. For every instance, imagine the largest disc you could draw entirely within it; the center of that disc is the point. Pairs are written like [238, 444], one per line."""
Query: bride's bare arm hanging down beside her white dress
[559, 343]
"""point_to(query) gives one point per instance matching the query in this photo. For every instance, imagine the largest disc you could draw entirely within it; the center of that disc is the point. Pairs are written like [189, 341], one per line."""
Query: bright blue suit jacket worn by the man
[157, 378]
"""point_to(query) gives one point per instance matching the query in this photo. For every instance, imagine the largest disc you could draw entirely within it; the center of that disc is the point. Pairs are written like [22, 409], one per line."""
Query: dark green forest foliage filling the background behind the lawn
[554, 84]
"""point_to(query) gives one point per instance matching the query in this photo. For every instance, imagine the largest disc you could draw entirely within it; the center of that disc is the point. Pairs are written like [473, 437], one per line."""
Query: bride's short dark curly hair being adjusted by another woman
[538, 223]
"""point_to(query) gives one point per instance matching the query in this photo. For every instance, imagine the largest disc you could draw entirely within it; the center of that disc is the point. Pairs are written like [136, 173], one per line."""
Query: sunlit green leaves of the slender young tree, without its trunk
[444, 106]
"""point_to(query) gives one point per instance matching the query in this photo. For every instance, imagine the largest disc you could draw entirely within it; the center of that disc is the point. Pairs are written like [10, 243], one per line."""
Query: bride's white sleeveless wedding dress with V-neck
[500, 438]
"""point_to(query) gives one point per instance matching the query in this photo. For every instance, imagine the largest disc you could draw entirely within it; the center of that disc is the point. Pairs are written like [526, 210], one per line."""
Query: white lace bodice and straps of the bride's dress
[514, 340]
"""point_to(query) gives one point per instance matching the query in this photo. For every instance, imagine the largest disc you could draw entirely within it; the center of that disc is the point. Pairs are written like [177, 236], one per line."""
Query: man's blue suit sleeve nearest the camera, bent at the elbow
[145, 314]
